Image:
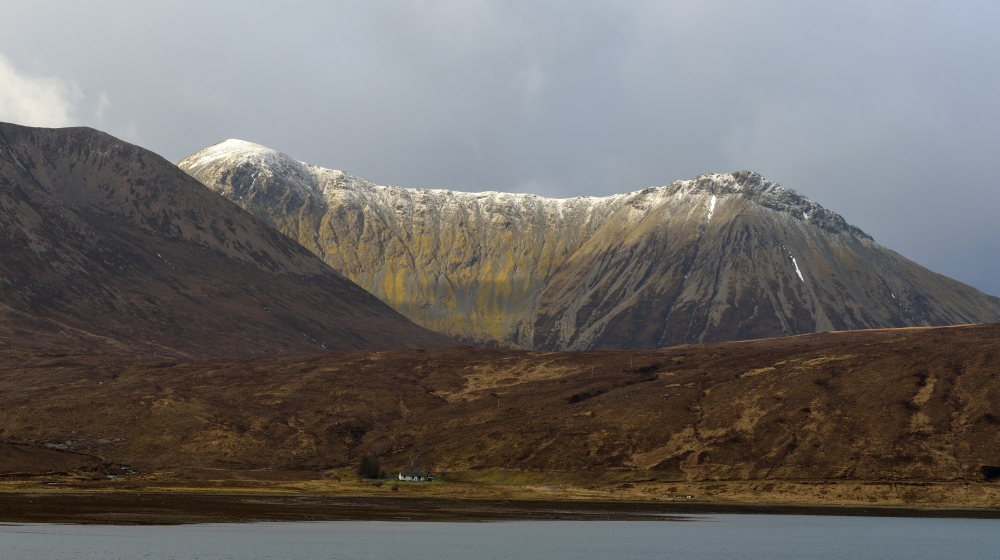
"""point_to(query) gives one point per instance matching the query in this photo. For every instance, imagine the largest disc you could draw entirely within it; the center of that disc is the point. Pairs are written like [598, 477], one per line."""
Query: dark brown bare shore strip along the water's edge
[171, 508]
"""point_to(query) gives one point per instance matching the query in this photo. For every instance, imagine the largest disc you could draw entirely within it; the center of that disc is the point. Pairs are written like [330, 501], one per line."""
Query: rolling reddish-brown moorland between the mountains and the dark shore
[886, 417]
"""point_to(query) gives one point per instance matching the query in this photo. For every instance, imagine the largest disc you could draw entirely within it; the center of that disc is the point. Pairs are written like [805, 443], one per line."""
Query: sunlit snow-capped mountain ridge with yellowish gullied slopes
[719, 257]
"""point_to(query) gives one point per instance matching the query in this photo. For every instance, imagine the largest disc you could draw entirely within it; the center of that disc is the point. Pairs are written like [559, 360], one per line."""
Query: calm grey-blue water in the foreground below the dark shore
[711, 536]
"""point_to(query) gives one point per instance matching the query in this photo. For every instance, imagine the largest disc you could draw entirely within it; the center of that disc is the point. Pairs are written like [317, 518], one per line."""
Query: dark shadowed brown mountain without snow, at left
[108, 246]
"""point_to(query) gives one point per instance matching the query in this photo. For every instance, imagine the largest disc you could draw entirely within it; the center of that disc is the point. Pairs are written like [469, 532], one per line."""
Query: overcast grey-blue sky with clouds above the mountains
[886, 112]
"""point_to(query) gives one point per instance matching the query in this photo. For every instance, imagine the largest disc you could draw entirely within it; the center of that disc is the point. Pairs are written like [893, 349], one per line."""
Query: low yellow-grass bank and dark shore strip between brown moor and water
[197, 497]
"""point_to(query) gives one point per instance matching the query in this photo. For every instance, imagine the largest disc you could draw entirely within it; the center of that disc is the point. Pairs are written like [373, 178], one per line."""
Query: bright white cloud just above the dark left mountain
[34, 100]
